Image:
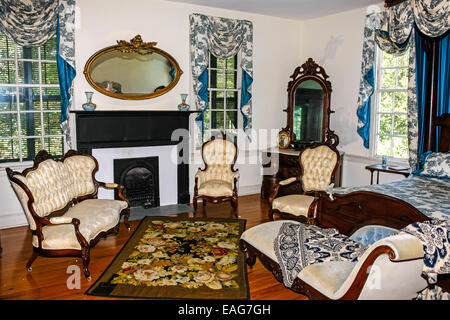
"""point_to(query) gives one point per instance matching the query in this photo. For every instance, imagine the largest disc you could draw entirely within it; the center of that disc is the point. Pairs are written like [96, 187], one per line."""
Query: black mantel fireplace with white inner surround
[119, 135]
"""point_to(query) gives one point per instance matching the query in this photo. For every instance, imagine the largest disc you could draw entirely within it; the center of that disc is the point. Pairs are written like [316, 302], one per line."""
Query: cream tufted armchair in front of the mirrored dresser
[318, 165]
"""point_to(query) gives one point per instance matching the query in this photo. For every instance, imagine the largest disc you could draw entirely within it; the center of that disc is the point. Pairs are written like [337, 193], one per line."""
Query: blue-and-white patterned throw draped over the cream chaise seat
[299, 245]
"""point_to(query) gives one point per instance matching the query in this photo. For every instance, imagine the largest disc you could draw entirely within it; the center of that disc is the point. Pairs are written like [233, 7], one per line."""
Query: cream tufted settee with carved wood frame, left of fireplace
[59, 199]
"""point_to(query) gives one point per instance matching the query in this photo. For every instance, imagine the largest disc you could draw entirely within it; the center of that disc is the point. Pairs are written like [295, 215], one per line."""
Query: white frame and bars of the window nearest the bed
[375, 104]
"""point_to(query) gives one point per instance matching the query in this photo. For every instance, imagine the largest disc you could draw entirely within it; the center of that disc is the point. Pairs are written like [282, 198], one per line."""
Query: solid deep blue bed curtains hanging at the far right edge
[423, 68]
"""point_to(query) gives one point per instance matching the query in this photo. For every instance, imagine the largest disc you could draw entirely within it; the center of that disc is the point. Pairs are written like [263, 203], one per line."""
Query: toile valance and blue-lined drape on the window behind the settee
[31, 24]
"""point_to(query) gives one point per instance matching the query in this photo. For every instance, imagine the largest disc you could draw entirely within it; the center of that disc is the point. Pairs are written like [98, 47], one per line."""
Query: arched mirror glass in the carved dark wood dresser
[308, 111]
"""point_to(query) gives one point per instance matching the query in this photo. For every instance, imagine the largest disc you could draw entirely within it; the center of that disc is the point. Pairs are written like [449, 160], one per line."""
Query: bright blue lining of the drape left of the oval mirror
[66, 74]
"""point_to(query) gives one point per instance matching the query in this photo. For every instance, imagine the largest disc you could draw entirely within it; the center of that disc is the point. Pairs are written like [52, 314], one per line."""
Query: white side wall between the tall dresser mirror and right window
[335, 42]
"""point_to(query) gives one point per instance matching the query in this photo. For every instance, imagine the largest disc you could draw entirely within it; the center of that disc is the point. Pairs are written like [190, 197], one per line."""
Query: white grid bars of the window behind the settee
[18, 112]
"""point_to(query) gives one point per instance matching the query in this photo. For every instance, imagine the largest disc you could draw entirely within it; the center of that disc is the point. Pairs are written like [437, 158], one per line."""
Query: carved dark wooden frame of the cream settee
[43, 221]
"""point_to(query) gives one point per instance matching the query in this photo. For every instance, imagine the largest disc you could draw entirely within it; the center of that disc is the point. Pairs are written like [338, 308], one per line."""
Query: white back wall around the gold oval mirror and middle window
[101, 23]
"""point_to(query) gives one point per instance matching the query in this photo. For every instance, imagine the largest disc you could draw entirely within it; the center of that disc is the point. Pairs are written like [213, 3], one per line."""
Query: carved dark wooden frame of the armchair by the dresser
[310, 215]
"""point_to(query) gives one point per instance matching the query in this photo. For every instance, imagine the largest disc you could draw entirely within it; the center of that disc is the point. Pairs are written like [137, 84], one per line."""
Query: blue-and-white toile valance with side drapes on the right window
[392, 31]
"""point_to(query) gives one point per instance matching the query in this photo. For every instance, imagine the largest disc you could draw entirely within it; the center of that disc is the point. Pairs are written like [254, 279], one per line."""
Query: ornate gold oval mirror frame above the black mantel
[135, 45]
